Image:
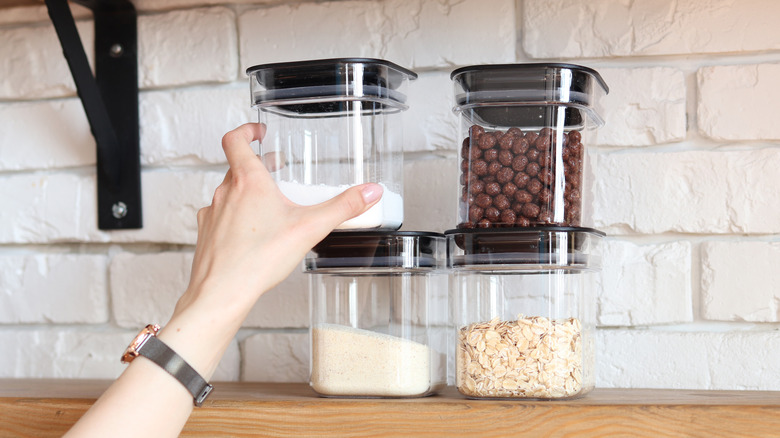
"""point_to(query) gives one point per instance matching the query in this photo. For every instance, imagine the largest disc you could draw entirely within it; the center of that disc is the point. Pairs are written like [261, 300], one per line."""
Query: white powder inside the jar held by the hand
[387, 213]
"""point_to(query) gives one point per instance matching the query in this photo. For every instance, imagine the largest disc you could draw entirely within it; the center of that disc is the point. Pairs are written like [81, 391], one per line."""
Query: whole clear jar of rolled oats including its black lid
[523, 309]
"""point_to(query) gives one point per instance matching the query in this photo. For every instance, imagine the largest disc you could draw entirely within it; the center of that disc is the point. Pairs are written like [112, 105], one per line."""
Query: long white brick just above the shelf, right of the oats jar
[688, 360]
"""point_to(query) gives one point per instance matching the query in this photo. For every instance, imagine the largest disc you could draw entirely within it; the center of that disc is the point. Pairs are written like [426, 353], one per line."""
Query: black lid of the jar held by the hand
[323, 86]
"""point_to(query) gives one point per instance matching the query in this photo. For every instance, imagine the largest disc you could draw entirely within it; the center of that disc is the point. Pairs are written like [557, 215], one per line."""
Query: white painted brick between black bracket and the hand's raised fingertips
[186, 126]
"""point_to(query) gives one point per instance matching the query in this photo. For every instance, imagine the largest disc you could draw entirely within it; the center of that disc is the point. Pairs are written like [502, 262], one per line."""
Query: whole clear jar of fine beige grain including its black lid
[379, 305]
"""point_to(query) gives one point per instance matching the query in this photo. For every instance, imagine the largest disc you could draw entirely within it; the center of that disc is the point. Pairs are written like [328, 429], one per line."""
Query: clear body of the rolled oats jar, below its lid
[524, 334]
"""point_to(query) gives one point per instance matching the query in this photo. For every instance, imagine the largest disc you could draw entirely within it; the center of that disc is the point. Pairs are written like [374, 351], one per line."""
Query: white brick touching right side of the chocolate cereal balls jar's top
[645, 106]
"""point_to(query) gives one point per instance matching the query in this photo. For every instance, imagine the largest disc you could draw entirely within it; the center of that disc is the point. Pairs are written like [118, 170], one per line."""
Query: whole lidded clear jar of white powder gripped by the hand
[332, 124]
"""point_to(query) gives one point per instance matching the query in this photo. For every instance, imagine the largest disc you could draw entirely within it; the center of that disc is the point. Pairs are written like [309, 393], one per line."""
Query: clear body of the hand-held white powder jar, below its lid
[315, 159]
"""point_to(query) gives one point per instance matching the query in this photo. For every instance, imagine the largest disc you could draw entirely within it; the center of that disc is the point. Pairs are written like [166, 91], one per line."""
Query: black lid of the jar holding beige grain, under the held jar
[379, 250]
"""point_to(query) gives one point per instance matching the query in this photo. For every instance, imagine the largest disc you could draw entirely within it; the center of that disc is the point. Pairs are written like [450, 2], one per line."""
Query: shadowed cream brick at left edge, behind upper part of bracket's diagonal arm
[31, 62]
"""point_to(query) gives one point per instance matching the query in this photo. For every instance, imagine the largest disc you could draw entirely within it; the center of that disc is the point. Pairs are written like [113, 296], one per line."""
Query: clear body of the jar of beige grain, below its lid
[378, 335]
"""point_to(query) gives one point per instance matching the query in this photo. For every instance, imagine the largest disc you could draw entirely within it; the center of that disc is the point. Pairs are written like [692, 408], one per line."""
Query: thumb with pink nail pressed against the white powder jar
[350, 203]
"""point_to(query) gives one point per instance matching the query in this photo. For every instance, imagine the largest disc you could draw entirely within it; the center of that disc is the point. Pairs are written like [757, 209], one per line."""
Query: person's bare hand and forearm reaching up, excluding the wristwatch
[249, 240]
